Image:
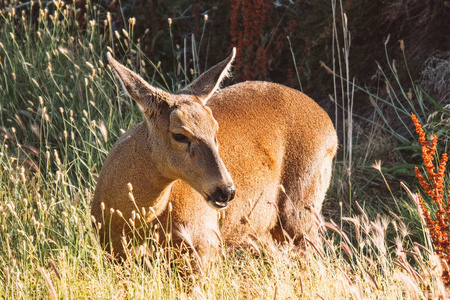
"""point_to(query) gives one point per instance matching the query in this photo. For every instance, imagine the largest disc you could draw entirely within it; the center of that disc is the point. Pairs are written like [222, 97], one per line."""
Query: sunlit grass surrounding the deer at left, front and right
[61, 110]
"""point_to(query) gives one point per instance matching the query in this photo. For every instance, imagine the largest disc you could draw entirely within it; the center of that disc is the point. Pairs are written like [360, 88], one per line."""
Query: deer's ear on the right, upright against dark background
[207, 83]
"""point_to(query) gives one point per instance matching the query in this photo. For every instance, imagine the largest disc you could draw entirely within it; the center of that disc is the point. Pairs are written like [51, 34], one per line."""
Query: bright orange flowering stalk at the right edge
[439, 228]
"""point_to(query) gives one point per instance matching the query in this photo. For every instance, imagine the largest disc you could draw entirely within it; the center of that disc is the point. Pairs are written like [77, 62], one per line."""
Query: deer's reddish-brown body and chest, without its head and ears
[269, 136]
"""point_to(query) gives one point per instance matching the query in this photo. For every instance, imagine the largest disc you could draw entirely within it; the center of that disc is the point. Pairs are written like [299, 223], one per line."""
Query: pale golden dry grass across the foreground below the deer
[48, 249]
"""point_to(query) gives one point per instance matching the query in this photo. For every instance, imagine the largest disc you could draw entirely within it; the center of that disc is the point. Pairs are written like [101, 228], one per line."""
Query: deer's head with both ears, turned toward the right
[182, 139]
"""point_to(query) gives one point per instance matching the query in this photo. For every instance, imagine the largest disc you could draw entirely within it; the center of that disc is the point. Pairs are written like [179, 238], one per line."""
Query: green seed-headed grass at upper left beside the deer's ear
[57, 93]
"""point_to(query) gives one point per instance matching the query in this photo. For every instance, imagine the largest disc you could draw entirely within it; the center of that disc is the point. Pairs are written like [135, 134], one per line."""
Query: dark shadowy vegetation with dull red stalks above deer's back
[260, 29]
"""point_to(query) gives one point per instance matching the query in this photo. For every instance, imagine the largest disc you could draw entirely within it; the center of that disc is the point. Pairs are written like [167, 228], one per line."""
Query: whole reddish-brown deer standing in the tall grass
[223, 165]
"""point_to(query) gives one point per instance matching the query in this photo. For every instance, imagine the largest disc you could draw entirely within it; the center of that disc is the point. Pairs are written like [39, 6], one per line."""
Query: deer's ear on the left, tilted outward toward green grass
[146, 96]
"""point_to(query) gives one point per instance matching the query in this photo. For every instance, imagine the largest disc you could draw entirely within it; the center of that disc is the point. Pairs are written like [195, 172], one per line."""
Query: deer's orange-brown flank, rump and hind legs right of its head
[271, 135]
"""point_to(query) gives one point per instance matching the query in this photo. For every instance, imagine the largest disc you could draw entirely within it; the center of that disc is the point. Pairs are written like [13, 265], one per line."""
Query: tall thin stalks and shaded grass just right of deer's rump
[386, 131]
